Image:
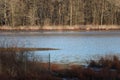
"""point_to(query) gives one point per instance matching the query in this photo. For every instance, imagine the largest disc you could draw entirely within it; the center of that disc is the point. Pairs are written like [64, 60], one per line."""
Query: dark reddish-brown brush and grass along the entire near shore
[21, 66]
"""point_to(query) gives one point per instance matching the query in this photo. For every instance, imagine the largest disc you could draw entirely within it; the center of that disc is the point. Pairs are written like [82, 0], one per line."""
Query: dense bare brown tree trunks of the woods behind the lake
[58, 12]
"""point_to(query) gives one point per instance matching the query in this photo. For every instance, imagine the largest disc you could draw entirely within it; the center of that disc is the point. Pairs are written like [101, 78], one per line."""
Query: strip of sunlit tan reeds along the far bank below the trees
[61, 28]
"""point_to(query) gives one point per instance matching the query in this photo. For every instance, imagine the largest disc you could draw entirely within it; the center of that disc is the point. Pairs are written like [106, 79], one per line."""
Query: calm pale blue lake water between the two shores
[74, 46]
